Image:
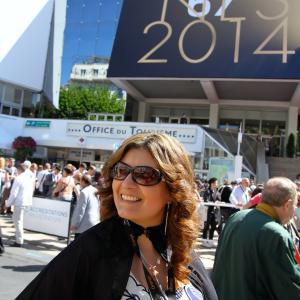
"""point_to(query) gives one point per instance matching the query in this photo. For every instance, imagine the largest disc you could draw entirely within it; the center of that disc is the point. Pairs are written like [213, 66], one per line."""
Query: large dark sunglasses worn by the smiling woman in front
[142, 175]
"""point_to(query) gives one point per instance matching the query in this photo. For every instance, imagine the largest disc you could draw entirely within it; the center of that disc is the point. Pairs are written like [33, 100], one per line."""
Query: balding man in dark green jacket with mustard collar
[255, 258]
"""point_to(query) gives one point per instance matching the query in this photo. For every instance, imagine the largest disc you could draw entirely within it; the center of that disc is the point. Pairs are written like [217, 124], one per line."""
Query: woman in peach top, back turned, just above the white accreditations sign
[65, 186]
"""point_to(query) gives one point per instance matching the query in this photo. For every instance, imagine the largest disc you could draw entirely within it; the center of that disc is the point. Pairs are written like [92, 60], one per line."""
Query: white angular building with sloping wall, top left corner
[30, 55]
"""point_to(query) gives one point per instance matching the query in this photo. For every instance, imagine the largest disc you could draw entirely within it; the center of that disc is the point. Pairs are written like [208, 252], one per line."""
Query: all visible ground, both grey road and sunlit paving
[18, 266]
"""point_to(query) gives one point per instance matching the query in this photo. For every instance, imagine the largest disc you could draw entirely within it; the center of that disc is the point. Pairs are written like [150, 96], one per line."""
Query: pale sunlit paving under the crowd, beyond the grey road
[43, 247]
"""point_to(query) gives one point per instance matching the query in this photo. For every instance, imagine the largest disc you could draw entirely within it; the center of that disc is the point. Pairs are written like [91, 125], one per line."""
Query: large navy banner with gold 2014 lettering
[256, 39]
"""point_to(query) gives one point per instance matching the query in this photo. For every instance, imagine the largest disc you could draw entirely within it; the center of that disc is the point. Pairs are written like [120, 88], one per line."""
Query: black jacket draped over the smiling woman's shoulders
[97, 266]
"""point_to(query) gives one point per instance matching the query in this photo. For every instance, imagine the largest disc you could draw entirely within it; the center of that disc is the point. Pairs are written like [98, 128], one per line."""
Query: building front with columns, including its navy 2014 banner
[228, 65]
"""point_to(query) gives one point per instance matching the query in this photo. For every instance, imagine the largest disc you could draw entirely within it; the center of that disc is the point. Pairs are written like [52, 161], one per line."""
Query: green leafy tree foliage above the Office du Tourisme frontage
[77, 102]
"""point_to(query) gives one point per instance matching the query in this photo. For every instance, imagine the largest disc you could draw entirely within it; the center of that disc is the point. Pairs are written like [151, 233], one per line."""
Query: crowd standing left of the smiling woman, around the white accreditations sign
[19, 184]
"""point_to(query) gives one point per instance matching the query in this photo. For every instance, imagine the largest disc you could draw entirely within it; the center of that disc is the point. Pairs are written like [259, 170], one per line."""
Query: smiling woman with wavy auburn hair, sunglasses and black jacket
[142, 249]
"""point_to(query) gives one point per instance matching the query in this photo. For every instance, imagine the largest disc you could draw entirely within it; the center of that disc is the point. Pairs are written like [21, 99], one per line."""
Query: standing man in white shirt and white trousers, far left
[20, 197]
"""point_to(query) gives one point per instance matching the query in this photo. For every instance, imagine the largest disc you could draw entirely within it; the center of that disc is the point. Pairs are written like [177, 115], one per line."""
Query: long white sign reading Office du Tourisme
[121, 131]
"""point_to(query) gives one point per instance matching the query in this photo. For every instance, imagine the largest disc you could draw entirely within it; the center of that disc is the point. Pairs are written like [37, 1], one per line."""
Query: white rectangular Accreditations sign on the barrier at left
[48, 216]
